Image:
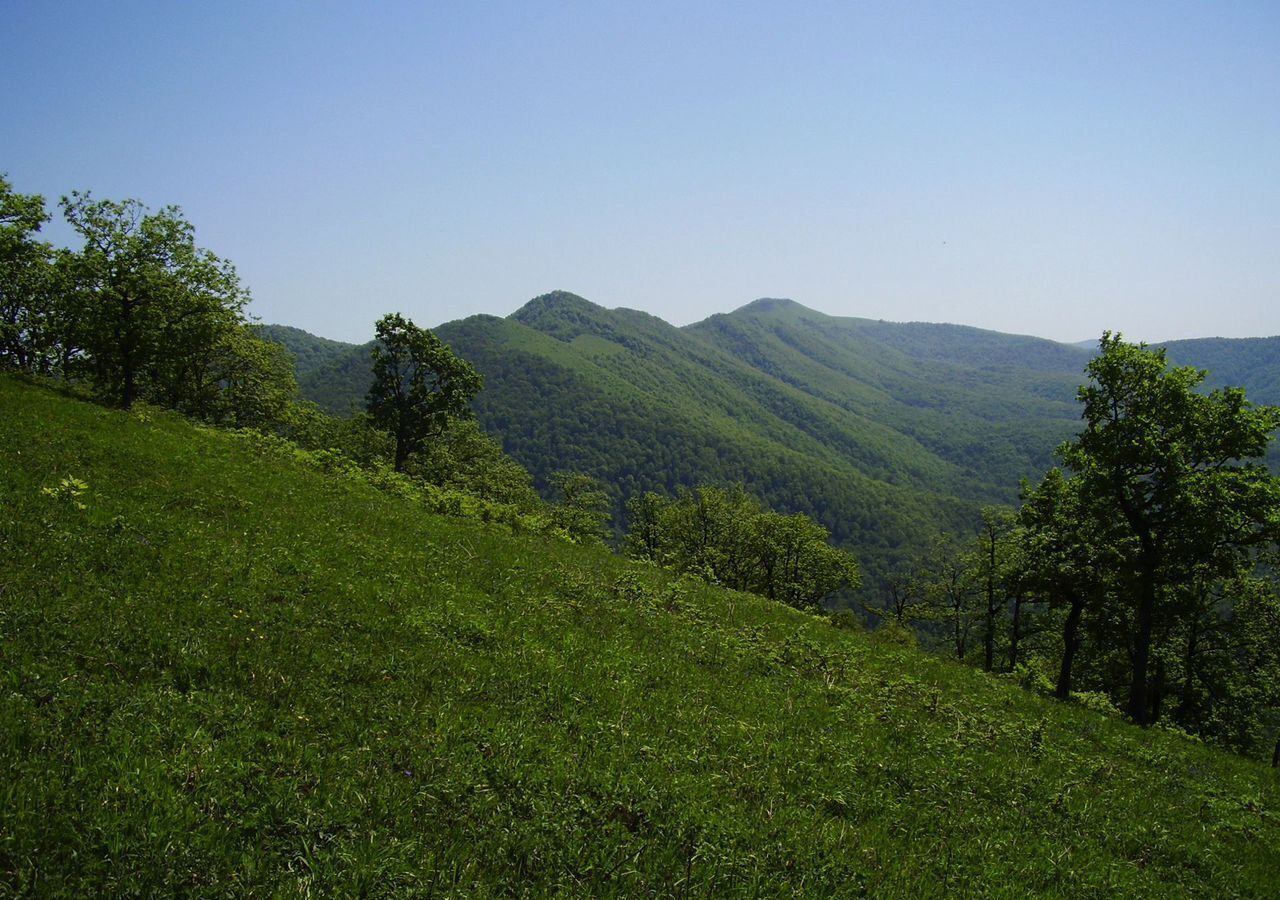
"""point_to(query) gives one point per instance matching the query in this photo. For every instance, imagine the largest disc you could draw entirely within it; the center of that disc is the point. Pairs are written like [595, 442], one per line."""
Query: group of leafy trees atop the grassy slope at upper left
[139, 312]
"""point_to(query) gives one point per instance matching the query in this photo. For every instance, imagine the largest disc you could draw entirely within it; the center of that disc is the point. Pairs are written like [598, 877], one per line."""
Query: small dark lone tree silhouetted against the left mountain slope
[419, 385]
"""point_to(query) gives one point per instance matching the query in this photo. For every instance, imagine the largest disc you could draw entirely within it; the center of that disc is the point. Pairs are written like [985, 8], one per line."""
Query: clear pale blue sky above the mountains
[1046, 168]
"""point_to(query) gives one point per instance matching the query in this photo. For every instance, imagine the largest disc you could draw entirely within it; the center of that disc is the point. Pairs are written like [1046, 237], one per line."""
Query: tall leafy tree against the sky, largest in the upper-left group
[150, 305]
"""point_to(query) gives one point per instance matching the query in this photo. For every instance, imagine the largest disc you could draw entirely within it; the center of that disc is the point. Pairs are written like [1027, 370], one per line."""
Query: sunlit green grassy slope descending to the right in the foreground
[236, 677]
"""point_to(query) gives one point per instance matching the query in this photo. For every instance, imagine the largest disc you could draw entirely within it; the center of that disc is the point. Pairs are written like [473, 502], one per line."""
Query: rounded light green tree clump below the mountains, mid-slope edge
[728, 538]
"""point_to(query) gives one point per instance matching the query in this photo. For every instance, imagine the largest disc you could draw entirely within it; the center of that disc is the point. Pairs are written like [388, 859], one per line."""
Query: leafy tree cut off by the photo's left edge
[26, 282]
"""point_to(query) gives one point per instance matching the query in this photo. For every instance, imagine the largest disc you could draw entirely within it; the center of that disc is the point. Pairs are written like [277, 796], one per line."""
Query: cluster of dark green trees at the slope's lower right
[1141, 577]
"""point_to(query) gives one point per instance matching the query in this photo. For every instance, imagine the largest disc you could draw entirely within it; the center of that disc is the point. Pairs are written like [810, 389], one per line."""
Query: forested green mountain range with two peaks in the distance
[884, 432]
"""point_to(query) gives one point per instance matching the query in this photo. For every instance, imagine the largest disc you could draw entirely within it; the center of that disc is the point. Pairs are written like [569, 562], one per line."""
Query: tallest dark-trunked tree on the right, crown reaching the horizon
[1176, 469]
